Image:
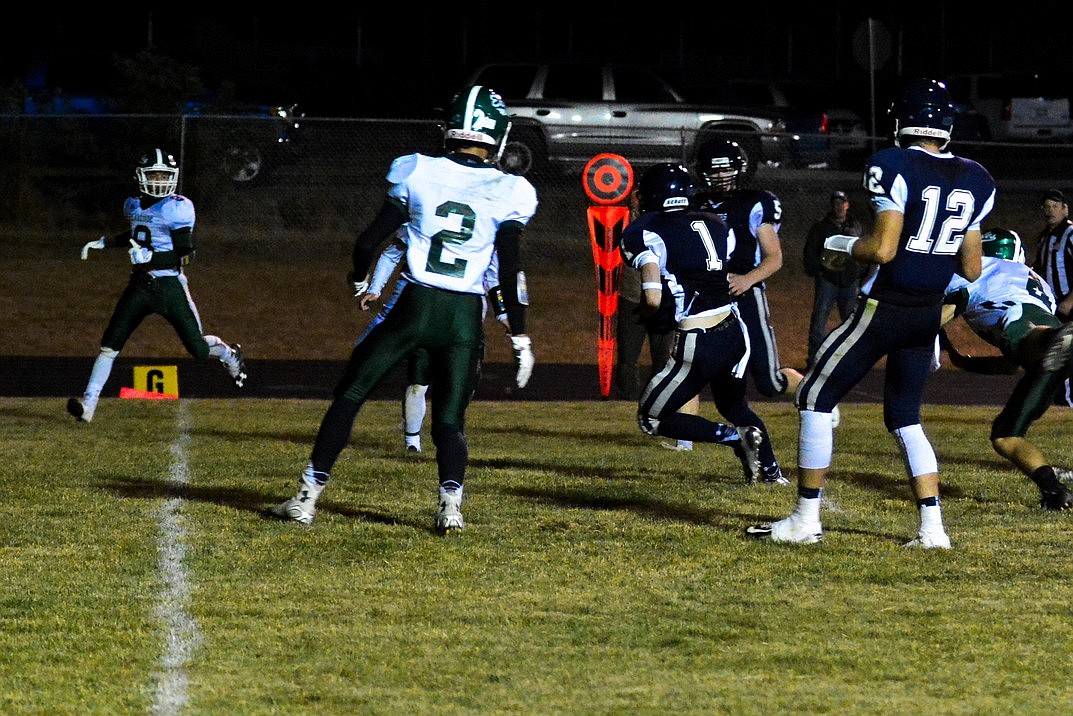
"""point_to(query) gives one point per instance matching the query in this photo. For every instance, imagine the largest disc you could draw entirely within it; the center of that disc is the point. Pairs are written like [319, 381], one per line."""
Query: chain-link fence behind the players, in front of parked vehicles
[264, 181]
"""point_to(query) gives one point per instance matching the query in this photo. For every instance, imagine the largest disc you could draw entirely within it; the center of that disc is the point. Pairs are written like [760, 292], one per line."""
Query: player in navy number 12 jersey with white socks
[929, 207]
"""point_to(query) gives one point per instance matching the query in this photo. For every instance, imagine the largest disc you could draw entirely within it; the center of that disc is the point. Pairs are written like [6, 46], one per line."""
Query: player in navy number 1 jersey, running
[690, 251]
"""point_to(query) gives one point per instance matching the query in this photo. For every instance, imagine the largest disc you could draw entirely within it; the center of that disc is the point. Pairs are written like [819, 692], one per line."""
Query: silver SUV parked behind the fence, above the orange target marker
[567, 113]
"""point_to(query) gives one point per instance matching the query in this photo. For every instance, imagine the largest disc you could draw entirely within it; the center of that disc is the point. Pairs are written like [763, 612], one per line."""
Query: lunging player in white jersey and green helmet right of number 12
[1012, 309]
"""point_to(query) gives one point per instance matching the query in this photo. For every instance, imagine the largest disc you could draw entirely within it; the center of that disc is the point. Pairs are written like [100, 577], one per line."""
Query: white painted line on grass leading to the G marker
[182, 636]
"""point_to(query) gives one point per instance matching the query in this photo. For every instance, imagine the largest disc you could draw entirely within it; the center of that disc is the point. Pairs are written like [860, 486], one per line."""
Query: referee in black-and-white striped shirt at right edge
[1054, 262]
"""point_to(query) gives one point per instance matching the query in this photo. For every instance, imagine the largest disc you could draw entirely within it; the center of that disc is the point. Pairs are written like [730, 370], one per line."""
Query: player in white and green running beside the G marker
[160, 244]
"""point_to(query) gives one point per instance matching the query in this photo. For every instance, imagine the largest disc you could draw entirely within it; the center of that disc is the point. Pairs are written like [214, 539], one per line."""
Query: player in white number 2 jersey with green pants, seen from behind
[458, 211]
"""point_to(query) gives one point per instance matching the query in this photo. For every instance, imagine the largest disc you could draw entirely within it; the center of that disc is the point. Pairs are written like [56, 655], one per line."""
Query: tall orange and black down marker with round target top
[608, 181]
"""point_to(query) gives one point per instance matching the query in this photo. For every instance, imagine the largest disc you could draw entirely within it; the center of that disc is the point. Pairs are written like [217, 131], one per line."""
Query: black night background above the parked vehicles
[402, 62]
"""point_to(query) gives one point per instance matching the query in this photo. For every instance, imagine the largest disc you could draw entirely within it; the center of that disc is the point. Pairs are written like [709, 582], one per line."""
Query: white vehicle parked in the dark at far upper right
[1017, 107]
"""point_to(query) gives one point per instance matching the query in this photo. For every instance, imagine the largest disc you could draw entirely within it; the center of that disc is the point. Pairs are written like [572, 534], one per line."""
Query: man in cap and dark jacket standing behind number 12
[833, 288]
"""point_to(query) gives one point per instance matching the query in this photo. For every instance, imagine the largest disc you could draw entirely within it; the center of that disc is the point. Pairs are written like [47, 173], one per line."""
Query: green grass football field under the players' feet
[599, 574]
